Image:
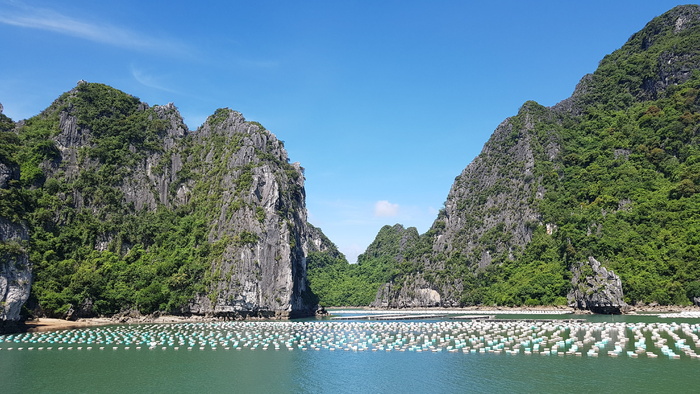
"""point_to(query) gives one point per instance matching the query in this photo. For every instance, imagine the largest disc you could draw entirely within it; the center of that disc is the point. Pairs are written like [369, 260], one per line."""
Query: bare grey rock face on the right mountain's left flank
[489, 215]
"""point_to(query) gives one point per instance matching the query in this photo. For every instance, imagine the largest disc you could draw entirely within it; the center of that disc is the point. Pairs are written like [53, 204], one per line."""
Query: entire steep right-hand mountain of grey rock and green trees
[591, 176]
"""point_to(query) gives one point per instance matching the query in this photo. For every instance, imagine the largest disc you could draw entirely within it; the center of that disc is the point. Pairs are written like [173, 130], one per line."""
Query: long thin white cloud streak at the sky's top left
[50, 20]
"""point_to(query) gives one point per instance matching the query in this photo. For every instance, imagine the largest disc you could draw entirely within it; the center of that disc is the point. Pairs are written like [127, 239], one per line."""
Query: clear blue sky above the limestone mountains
[383, 102]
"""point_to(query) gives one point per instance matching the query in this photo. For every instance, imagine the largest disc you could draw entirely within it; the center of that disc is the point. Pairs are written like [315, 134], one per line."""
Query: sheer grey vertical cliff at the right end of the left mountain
[262, 214]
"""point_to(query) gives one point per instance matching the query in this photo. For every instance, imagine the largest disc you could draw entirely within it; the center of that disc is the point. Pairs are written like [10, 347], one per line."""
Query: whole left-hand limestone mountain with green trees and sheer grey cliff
[129, 210]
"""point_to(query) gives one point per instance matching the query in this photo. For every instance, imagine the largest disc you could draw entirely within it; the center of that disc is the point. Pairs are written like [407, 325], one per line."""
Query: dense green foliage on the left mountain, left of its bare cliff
[88, 248]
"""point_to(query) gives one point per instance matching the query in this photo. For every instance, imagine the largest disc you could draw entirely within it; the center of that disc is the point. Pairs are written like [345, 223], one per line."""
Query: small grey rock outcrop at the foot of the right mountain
[596, 289]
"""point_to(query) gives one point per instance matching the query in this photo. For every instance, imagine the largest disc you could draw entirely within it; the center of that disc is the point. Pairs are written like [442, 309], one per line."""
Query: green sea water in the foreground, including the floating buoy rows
[351, 357]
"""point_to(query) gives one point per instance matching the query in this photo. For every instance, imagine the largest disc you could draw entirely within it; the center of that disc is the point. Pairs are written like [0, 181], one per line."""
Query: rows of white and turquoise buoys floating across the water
[514, 337]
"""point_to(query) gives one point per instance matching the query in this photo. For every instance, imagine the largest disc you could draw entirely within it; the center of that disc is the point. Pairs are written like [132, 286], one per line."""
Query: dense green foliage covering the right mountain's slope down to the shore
[624, 189]
